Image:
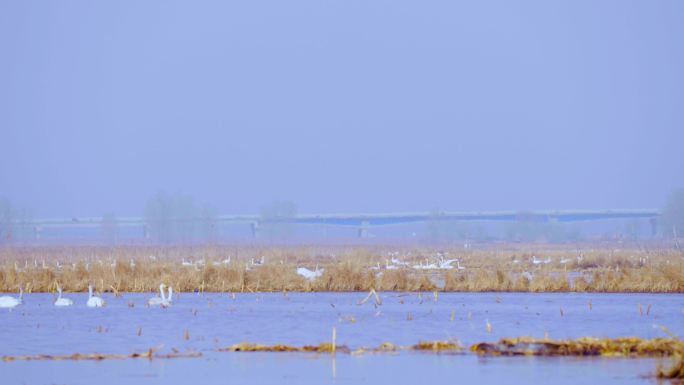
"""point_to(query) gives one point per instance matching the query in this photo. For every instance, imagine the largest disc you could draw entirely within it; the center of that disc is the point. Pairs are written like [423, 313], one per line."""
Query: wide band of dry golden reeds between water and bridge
[504, 268]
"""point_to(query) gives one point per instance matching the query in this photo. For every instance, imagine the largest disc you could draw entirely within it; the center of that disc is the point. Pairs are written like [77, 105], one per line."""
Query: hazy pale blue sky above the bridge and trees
[341, 105]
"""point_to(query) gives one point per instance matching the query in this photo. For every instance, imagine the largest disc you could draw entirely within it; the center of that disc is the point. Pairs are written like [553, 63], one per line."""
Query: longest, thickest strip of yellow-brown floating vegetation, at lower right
[586, 346]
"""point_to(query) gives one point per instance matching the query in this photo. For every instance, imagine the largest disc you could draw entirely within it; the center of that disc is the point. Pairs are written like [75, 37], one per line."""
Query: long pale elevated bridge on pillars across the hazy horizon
[363, 221]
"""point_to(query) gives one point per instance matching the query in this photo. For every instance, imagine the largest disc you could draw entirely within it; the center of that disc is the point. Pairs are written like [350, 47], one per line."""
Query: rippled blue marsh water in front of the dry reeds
[205, 322]
